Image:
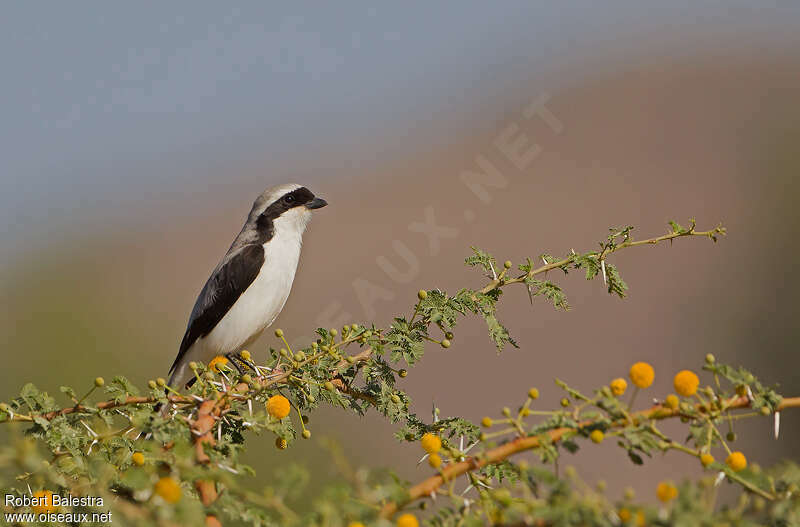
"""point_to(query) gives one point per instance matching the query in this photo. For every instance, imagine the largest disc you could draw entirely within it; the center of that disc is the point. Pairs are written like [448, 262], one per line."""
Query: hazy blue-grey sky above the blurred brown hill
[112, 104]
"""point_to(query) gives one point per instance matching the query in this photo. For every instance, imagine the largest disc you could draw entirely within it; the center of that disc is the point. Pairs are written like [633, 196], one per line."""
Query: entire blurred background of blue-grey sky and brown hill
[135, 138]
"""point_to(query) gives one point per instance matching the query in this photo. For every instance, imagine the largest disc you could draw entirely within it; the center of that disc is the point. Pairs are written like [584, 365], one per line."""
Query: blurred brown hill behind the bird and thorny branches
[646, 143]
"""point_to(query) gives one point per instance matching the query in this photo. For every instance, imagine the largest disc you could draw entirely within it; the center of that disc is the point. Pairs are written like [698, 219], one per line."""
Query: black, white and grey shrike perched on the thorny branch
[249, 287]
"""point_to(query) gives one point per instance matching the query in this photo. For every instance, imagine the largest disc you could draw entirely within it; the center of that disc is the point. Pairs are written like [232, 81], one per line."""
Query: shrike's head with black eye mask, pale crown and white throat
[285, 208]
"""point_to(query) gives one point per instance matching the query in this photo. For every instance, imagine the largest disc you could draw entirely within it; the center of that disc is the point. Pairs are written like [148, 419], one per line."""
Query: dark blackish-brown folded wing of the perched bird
[219, 294]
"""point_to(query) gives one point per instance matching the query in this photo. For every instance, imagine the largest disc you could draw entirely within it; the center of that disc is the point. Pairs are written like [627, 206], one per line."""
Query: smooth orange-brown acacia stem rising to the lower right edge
[500, 453]
